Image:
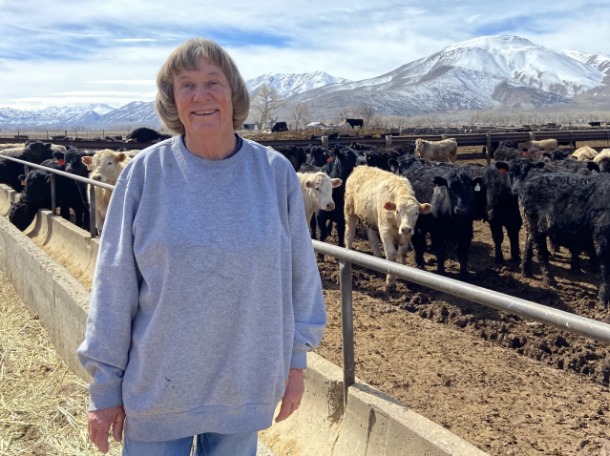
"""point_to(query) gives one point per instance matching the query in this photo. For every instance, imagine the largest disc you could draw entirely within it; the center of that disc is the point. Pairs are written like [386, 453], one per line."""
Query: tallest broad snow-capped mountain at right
[486, 72]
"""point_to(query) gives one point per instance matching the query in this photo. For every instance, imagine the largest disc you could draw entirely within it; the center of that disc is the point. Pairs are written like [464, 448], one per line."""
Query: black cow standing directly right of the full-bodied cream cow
[451, 192]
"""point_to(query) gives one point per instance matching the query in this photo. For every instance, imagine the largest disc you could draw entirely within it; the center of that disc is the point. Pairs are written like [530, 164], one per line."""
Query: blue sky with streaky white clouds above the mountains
[69, 52]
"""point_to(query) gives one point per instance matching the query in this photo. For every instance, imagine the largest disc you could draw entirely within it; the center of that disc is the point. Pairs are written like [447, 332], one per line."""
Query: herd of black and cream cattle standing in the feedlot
[415, 197]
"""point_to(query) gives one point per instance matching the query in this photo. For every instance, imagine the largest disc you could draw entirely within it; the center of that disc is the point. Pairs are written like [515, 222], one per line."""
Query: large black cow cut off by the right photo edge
[570, 210]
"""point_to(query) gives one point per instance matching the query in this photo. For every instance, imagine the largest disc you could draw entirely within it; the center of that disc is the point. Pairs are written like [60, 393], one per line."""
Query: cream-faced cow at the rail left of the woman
[105, 166]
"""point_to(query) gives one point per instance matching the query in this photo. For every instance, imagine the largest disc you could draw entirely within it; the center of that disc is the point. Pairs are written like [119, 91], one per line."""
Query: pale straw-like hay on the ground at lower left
[42, 403]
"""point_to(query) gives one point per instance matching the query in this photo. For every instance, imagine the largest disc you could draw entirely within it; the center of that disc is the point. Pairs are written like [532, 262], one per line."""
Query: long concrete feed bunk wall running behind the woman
[368, 423]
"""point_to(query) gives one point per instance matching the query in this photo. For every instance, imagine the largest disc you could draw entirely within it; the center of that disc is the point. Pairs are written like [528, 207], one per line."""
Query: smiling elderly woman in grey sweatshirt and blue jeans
[207, 295]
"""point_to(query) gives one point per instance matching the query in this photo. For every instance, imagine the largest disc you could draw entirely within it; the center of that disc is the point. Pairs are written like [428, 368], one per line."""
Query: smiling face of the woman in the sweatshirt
[203, 100]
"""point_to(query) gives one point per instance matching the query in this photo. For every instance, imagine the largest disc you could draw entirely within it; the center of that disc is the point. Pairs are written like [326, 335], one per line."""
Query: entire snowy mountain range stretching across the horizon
[490, 72]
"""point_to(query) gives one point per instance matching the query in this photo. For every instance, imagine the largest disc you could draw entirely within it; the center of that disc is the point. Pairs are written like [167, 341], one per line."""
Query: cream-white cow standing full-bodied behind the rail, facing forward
[384, 200]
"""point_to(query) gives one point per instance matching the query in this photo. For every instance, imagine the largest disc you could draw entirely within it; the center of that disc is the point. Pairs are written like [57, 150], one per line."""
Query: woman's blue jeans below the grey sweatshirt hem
[208, 444]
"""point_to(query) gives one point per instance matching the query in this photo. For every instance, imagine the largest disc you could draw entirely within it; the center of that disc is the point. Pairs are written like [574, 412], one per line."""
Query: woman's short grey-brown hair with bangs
[186, 58]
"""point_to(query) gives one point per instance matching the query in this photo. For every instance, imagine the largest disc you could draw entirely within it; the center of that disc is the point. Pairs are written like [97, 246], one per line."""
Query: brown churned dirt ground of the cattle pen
[508, 386]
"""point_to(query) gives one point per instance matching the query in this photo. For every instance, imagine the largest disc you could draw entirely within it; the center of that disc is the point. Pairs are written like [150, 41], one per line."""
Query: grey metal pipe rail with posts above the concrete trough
[566, 321]
